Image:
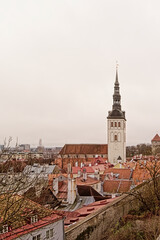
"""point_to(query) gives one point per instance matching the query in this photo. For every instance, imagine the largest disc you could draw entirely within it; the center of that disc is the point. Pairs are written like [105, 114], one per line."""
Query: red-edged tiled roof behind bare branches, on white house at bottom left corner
[20, 210]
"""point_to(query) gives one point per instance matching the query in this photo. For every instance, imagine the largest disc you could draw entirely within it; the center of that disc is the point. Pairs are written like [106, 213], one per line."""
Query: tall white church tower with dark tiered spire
[116, 128]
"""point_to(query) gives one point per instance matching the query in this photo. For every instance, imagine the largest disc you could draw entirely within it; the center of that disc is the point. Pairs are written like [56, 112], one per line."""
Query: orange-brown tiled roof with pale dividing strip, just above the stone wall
[116, 186]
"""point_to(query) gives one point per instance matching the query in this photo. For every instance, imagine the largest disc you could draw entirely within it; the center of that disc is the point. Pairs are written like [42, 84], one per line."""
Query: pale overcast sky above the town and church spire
[57, 69]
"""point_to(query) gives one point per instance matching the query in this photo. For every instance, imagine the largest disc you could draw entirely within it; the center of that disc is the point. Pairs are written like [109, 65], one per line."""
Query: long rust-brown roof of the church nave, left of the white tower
[84, 149]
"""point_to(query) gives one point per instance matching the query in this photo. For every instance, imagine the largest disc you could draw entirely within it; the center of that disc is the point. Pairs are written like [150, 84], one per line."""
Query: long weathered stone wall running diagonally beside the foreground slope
[98, 225]
